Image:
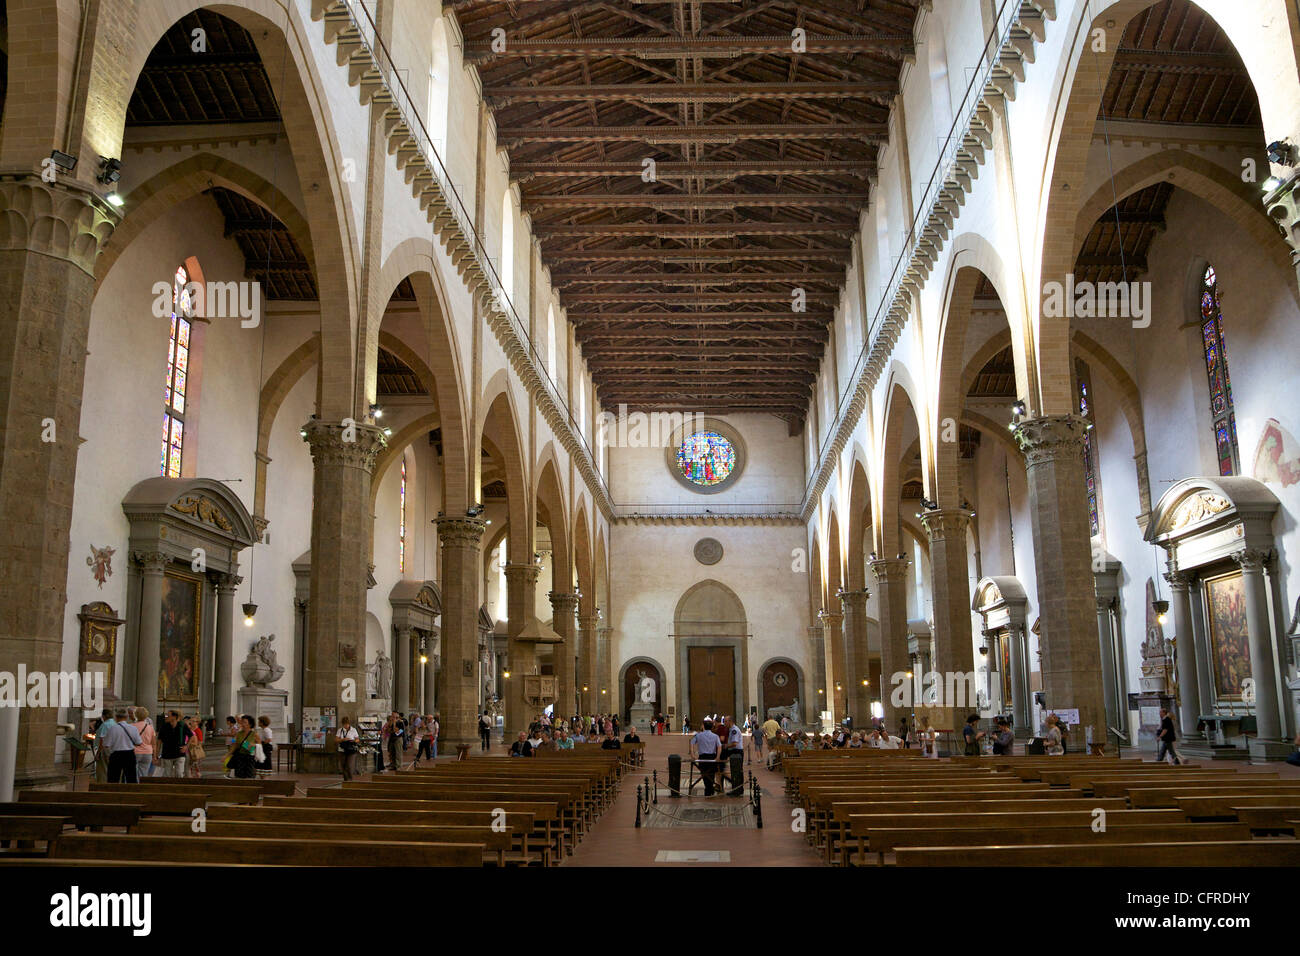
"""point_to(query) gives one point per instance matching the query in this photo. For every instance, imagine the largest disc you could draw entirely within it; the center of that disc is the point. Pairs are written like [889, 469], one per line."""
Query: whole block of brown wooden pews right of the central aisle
[874, 807]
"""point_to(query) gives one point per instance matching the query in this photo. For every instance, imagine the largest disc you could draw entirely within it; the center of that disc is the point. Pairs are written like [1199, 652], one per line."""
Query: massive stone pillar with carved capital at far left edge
[50, 237]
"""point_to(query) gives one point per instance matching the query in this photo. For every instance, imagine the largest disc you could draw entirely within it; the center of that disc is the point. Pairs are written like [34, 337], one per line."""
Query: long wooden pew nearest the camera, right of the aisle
[1210, 854]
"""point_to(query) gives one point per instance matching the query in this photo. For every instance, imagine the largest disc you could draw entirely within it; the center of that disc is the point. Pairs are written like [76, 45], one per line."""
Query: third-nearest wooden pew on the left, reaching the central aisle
[518, 824]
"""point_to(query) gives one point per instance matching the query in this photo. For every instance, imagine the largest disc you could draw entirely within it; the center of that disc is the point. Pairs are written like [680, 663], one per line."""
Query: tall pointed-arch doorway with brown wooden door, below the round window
[710, 639]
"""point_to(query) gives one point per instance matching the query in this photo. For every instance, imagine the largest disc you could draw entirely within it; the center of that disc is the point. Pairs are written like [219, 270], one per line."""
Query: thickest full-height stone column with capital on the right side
[1063, 556]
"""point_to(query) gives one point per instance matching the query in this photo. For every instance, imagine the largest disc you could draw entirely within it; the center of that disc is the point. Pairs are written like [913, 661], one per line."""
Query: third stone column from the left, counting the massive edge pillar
[458, 697]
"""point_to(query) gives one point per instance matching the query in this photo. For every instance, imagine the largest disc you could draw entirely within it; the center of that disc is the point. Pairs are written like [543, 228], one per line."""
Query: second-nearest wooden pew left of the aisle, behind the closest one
[497, 845]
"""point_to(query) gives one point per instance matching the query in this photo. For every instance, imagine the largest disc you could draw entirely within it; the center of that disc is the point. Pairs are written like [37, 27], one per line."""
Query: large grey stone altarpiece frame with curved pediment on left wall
[184, 530]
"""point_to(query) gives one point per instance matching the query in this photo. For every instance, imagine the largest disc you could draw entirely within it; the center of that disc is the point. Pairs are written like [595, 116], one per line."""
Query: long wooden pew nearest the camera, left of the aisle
[285, 853]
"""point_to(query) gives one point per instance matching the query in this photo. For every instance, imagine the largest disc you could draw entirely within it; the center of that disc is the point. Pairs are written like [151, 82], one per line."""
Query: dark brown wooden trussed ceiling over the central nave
[681, 287]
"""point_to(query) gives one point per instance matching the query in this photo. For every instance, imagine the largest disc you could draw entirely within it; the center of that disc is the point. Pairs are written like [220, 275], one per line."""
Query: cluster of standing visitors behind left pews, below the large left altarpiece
[128, 746]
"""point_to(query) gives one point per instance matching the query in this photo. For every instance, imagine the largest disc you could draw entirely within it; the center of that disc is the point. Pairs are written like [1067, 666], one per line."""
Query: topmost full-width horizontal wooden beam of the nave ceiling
[895, 46]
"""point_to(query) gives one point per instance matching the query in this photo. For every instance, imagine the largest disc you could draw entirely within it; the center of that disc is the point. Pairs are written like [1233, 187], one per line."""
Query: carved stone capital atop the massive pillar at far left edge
[66, 220]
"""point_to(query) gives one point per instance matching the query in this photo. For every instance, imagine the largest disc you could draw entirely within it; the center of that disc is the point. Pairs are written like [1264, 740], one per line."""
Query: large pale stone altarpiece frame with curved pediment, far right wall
[1219, 538]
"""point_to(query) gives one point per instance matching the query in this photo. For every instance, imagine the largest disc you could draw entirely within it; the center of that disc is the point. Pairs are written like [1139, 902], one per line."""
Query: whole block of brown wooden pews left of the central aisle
[462, 814]
